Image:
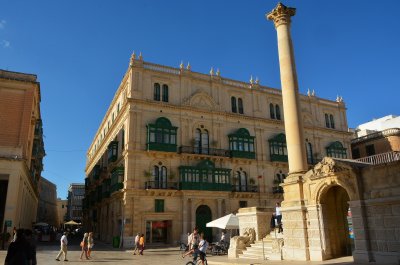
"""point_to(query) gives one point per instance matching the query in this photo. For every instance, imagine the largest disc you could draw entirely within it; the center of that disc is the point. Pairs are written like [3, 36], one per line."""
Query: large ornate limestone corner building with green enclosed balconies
[177, 149]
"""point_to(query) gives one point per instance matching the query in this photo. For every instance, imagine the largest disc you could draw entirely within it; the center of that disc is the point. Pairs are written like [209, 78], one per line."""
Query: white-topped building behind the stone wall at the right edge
[377, 137]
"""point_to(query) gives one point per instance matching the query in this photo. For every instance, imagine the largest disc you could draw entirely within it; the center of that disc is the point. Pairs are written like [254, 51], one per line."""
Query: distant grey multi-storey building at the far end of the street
[76, 193]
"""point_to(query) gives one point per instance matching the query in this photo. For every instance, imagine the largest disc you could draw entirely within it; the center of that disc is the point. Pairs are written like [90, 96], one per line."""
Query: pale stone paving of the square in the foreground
[105, 254]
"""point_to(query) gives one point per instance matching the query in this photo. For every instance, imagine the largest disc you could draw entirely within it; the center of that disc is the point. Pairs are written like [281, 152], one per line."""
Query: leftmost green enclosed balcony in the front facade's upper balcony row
[161, 136]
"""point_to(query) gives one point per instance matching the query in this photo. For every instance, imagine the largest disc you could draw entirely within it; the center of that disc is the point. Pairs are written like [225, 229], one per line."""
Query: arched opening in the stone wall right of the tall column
[335, 224]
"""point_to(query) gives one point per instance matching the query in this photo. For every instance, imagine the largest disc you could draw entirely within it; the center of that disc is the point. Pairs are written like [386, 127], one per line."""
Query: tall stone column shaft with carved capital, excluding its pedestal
[290, 94]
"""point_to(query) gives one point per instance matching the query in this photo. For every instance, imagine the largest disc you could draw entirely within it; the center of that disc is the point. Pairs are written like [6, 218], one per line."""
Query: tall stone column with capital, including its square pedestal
[294, 212]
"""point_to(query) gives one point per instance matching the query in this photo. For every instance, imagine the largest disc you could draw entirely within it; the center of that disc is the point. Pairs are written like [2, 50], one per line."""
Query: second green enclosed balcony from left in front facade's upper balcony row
[241, 144]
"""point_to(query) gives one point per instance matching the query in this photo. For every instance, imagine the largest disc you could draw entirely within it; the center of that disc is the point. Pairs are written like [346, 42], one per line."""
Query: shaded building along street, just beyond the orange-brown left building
[47, 209]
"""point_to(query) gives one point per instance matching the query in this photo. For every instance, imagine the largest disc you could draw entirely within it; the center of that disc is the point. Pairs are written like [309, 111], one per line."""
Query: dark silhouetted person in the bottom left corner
[18, 252]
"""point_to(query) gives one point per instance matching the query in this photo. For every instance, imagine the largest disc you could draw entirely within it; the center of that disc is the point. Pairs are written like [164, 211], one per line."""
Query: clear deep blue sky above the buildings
[80, 51]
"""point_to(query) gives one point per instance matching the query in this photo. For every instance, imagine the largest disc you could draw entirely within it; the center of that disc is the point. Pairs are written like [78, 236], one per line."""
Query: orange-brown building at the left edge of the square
[21, 148]
